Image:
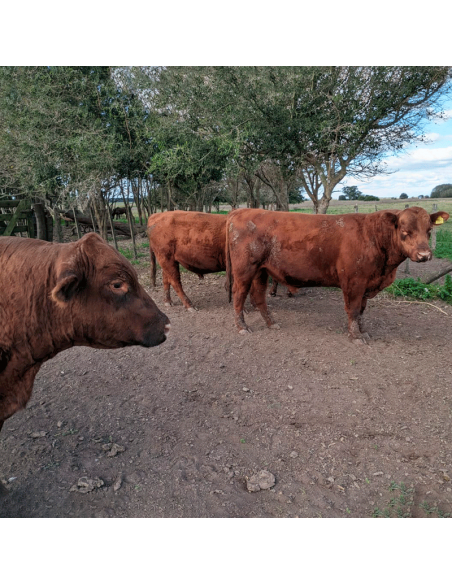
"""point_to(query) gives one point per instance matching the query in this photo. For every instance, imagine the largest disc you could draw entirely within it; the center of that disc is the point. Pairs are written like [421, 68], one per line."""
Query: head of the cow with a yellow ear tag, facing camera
[413, 227]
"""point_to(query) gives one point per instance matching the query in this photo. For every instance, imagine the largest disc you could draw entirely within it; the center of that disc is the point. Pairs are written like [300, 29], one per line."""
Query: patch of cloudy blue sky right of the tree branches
[418, 170]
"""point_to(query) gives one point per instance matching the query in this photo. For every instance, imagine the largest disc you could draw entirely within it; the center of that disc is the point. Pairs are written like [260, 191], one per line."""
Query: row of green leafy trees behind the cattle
[196, 137]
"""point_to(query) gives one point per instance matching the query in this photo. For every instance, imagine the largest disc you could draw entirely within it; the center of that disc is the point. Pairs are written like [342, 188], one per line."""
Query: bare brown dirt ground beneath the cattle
[178, 430]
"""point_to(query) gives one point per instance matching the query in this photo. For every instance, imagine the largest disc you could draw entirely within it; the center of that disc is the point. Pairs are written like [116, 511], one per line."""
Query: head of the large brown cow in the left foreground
[98, 290]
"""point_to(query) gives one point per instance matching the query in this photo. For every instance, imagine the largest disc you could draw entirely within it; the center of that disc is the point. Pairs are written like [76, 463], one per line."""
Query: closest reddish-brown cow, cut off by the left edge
[56, 296]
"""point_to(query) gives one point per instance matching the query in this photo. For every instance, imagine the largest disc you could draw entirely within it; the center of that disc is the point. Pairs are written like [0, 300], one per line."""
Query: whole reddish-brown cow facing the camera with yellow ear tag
[358, 253]
